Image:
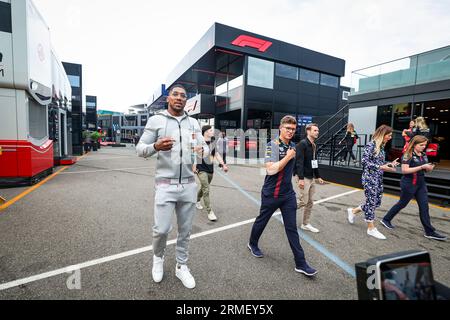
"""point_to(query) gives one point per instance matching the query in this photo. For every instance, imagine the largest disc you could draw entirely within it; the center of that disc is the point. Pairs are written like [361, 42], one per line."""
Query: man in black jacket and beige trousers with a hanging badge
[307, 169]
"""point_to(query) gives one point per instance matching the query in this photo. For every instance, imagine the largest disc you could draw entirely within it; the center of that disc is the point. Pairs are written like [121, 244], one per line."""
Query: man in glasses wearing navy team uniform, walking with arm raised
[278, 193]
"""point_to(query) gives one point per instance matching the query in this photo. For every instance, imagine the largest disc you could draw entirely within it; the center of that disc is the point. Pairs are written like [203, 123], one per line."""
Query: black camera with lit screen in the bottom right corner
[399, 276]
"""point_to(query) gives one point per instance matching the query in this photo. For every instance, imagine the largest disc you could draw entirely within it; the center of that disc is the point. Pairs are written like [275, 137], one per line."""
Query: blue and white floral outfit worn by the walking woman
[372, 180]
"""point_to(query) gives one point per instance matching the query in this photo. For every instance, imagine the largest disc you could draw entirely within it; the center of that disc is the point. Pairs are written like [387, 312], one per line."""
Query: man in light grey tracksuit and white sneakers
[177, 140]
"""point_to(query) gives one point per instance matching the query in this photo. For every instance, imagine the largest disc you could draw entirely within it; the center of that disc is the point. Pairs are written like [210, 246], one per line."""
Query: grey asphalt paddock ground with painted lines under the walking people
[73, 238]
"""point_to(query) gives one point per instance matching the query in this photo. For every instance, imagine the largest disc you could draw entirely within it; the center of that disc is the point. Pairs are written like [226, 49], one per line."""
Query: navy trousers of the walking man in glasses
[288, 207]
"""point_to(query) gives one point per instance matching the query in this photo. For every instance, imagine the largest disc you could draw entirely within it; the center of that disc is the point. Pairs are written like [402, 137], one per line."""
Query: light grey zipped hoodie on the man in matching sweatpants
[176, 163]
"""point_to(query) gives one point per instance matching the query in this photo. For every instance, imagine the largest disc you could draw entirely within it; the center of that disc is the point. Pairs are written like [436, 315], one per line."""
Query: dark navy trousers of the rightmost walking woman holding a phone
[420, 193]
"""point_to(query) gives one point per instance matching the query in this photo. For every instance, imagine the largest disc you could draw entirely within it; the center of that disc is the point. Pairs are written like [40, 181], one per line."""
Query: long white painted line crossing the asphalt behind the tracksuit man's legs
[16, 283]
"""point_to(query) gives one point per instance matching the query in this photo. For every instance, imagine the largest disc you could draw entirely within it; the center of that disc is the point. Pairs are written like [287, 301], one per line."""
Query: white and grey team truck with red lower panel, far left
[35, 96]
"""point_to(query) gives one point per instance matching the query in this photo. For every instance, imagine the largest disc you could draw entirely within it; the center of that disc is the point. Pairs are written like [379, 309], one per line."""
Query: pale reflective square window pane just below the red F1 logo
[260, 73]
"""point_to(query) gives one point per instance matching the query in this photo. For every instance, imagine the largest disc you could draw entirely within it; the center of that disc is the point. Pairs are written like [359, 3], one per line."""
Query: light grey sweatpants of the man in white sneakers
[180, 199]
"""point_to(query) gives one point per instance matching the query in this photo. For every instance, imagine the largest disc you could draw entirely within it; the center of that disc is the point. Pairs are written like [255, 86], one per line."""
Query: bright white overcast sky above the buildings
[128, 48]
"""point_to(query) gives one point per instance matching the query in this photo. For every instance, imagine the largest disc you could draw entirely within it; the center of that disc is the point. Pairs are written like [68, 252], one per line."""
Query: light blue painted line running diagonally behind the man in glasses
[335, 259]
